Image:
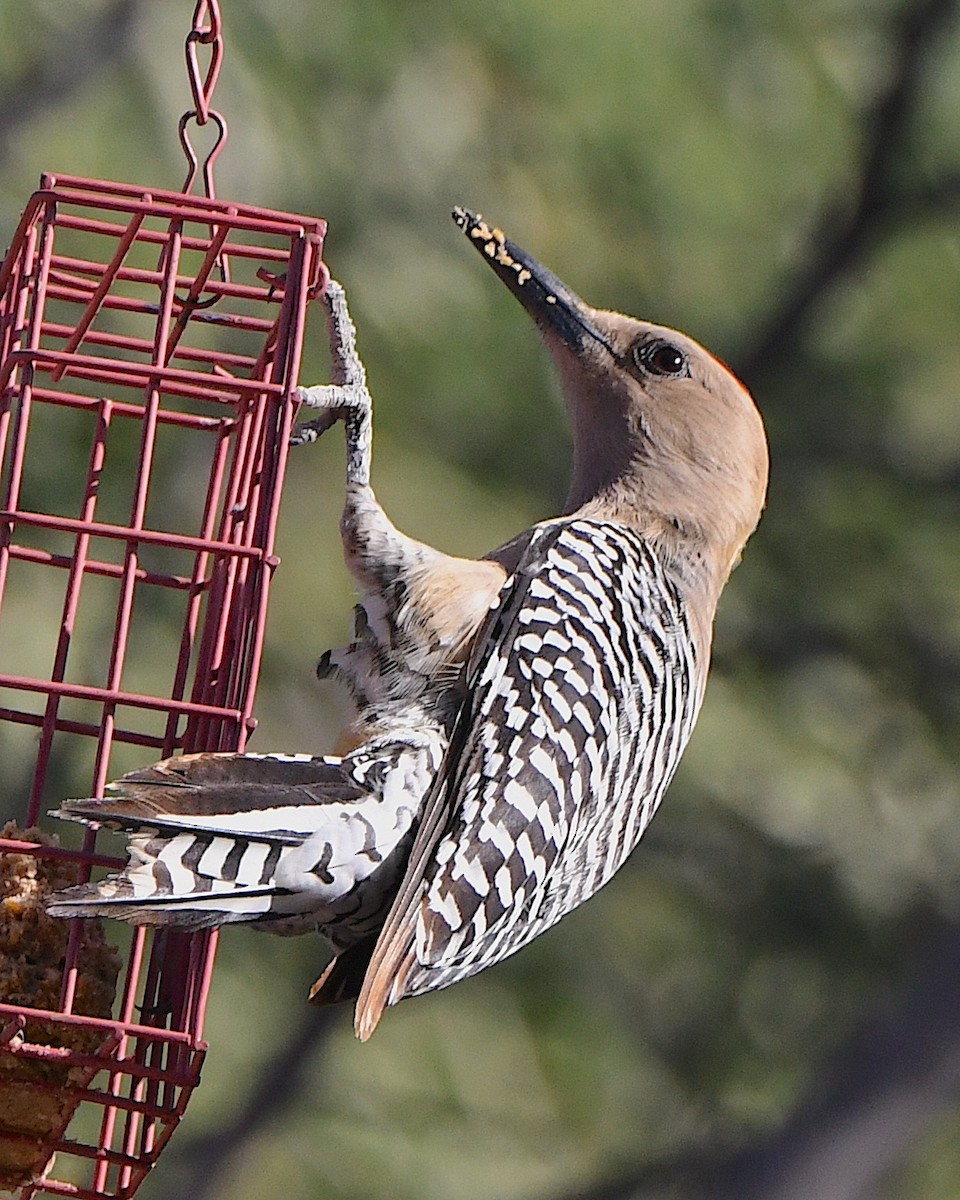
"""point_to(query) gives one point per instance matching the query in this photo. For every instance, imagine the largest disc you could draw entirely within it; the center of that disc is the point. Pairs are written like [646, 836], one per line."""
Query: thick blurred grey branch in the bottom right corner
[881, 1091]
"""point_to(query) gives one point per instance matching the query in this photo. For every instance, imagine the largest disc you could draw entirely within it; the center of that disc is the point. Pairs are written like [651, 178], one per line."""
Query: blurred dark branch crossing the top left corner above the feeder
[70, 62]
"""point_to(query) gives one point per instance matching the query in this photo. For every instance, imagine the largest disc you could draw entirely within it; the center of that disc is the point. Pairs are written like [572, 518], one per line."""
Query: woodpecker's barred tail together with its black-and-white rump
[289, 842]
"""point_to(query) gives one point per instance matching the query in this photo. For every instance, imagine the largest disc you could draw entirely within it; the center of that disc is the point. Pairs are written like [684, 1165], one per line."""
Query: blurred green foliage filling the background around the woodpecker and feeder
[712, 165]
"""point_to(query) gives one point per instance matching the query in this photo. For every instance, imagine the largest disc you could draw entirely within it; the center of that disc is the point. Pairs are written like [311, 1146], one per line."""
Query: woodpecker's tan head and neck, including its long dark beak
[667, 439]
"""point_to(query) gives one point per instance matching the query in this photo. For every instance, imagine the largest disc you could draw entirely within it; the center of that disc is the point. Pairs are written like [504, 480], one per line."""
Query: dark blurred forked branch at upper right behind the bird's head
[851, 227]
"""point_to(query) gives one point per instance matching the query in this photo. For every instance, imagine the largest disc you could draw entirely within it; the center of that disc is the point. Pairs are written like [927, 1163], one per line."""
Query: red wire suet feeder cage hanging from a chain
[122, 333]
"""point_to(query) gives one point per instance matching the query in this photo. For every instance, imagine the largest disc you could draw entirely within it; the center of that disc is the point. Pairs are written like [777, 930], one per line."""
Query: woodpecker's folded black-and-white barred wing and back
[583, 695]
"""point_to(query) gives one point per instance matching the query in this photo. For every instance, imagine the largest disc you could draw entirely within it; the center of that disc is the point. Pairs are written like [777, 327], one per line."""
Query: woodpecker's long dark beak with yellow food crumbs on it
[553, 305]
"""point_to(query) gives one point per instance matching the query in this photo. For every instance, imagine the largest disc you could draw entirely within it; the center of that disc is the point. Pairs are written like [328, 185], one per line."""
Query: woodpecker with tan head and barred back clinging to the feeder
[519, 718]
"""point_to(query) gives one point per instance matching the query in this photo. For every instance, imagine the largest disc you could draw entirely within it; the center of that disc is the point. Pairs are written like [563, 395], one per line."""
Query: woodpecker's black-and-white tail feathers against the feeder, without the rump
[207, 836]
